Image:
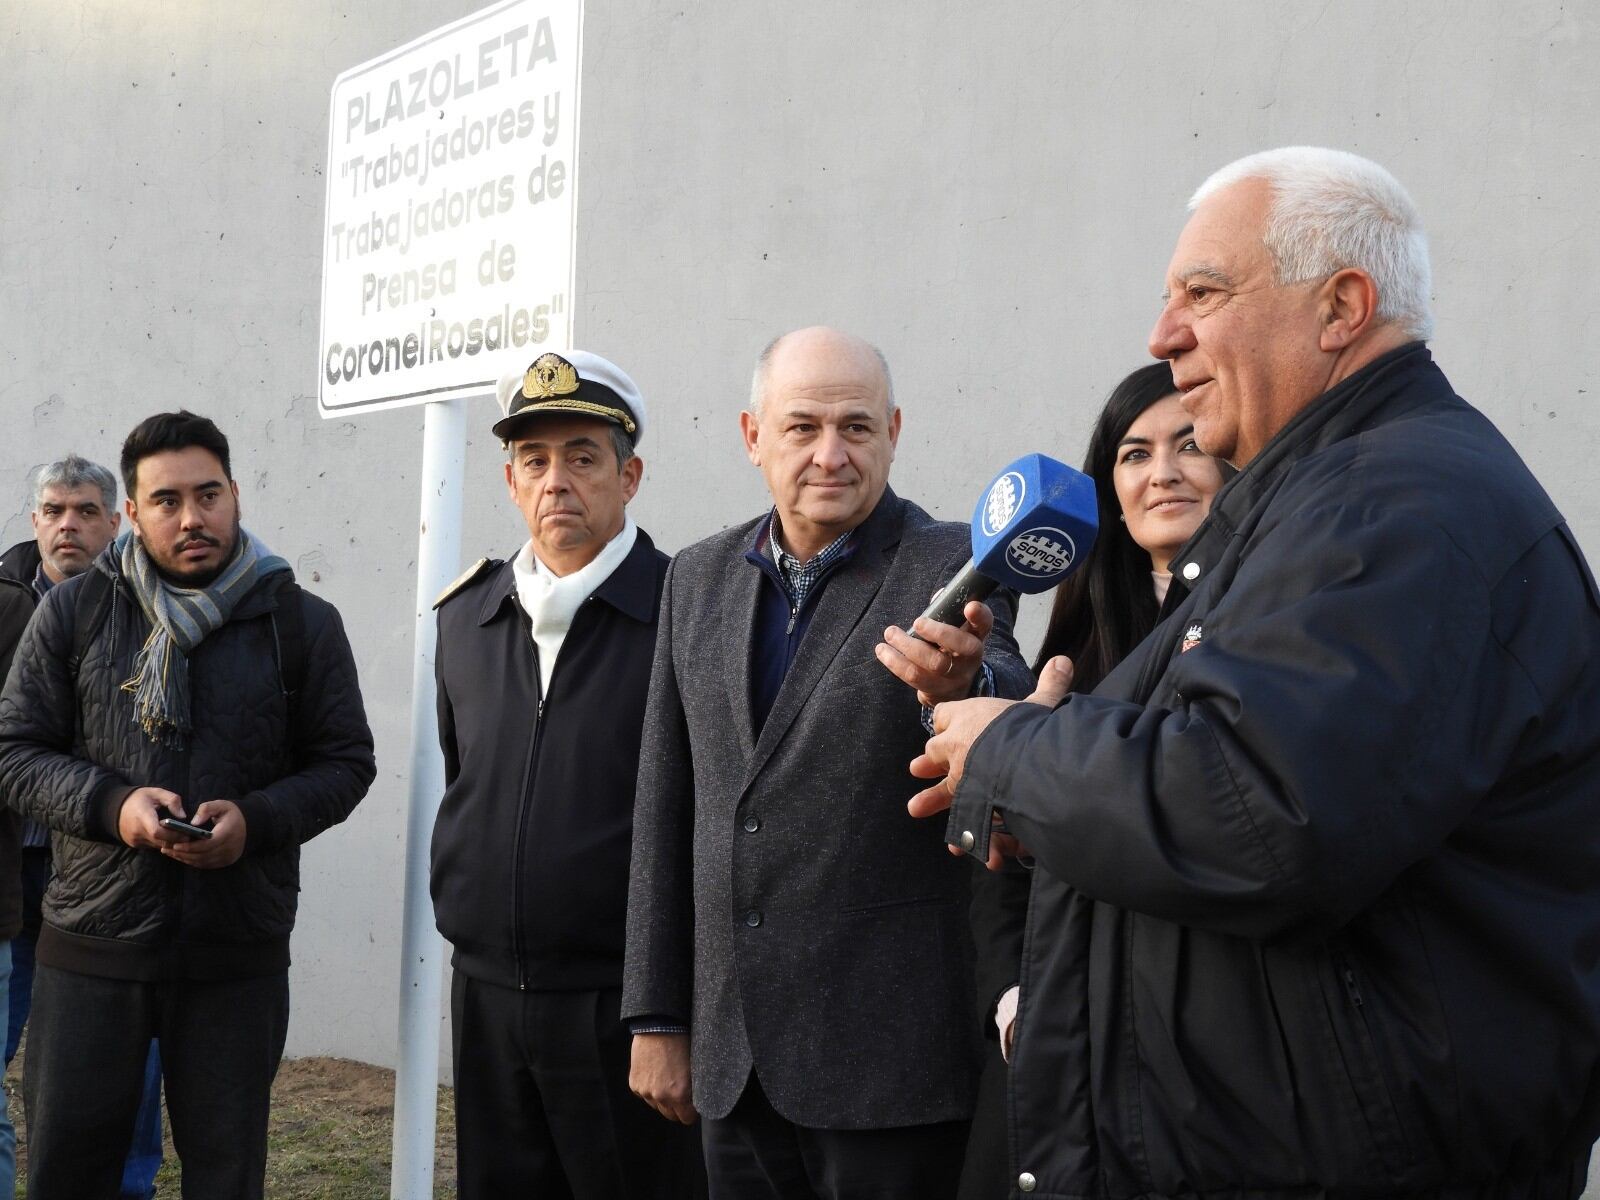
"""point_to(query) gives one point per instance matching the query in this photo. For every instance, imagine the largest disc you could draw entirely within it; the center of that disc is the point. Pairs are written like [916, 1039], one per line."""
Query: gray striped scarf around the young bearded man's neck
[180, 620]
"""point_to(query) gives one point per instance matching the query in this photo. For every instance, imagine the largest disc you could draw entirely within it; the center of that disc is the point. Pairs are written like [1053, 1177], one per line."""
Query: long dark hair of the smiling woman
[1108, 606]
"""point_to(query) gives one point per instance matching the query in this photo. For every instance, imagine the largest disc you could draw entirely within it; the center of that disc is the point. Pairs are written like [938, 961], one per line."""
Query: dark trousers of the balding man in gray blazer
[756, 1154]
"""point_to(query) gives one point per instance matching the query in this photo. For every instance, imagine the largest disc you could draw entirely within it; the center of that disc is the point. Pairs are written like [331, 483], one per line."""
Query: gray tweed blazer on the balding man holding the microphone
[782, 900]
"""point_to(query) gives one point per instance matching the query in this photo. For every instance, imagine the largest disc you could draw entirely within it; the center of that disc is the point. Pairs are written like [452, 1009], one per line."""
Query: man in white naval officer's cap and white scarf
[543, 671]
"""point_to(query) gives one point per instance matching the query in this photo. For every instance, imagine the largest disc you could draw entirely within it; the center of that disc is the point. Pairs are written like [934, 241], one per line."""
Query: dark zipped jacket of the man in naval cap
[534, 836]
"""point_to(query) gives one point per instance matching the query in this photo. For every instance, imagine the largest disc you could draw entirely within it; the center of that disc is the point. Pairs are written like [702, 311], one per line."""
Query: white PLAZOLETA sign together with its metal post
[447, 262]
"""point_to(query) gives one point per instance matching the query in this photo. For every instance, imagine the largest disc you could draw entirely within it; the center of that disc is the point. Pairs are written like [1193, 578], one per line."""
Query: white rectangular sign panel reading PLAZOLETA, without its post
[452, 206]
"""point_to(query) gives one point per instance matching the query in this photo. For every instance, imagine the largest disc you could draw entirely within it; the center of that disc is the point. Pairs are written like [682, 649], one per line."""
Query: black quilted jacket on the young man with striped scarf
[71, 753]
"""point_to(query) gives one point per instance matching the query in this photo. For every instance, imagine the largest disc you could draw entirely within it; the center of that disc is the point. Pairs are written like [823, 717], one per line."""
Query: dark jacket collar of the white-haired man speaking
[1382, 390]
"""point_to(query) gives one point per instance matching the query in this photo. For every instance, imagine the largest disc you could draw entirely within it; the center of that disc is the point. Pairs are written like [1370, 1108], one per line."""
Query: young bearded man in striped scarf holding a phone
[185, 674]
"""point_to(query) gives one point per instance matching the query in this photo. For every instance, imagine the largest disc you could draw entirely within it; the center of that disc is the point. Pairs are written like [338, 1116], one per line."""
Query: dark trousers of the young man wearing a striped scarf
[84, 1074]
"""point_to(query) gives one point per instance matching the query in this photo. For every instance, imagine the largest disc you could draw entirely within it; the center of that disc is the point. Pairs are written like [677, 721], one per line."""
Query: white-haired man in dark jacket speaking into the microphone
[1318, 903]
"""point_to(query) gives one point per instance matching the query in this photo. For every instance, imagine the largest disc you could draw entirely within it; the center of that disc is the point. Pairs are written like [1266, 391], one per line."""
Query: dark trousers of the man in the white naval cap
[543, 1106]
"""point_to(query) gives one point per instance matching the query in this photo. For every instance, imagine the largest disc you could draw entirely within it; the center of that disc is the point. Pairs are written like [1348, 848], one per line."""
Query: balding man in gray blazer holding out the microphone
[799, 970]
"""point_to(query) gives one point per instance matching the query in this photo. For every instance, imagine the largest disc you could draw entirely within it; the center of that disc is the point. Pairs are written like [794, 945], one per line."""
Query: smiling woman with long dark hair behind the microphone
[1154, 487]
